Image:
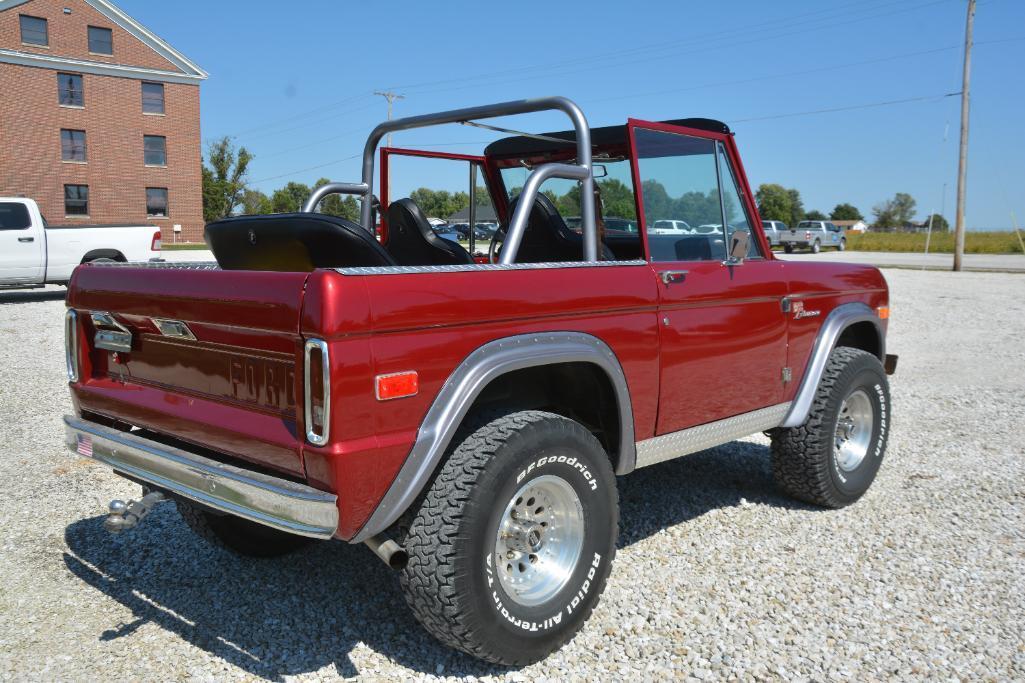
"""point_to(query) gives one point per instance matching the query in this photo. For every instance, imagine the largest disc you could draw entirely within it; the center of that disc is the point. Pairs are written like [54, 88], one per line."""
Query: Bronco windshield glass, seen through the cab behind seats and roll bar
[617, 190]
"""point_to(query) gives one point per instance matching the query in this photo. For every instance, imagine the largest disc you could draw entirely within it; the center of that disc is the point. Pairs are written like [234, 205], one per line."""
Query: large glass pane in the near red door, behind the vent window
[680, 195]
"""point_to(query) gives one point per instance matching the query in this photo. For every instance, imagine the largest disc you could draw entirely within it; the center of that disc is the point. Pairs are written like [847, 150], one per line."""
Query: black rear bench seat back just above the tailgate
[293, 243]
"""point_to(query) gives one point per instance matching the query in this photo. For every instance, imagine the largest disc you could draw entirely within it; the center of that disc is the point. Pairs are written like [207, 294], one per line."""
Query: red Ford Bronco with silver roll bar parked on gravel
[466, 413]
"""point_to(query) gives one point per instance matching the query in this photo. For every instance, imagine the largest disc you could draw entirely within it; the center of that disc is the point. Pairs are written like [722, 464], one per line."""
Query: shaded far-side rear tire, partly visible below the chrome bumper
[237, 535]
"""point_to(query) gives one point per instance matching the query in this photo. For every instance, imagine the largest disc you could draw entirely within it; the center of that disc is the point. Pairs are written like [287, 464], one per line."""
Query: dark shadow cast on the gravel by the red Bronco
[301, 614]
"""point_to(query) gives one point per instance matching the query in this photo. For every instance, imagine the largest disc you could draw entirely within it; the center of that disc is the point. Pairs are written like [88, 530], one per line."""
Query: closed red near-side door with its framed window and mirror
[723, 332]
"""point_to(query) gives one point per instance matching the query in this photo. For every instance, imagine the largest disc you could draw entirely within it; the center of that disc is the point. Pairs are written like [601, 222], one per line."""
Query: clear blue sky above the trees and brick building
[294, 83]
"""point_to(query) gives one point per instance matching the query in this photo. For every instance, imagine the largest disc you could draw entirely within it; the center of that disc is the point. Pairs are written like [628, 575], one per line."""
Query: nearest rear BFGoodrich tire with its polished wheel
[514, 542]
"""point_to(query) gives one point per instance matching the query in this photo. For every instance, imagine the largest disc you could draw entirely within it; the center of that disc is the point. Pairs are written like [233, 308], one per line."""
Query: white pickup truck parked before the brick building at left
[33, 254]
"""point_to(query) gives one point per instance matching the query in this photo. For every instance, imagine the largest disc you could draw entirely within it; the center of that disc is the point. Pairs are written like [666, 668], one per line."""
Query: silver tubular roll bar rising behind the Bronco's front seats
[582, 171]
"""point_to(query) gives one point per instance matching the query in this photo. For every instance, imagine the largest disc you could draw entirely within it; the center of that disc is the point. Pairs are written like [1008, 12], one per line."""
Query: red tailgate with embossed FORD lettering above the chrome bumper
[213, 355]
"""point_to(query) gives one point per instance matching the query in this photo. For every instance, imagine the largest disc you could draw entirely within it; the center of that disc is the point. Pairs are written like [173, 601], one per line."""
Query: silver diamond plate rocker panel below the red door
[669, 447]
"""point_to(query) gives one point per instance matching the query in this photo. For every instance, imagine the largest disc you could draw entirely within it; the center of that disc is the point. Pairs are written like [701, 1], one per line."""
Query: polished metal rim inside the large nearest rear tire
[540, 540]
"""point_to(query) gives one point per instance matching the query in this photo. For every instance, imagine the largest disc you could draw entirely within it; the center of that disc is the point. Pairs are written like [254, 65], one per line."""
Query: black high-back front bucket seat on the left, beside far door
[412, 240]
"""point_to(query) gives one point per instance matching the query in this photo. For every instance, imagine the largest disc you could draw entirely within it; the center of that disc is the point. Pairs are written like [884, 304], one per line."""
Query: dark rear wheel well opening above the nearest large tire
[580, 391]
